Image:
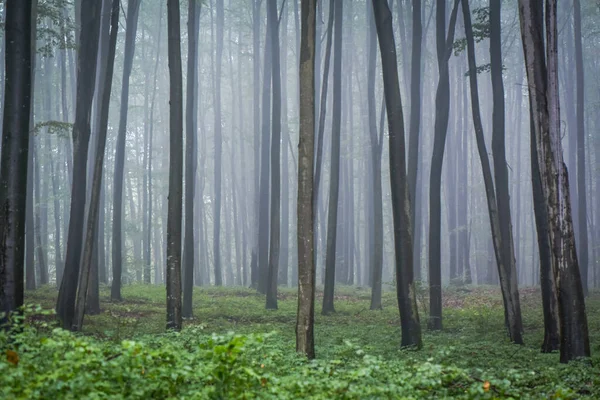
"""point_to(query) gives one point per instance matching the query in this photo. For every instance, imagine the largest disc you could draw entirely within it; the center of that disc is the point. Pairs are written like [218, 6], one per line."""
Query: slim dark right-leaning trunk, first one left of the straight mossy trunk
[133, 7]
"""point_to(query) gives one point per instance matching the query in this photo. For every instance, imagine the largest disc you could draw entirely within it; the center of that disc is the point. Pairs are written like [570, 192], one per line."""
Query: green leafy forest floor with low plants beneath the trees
[125, 353]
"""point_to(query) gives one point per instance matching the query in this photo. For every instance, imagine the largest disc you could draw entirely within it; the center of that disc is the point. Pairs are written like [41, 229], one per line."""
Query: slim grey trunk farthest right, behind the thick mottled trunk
[582, 244]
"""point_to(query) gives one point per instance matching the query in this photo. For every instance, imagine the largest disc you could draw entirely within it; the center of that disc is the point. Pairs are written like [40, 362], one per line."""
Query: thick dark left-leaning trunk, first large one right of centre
[405, 286]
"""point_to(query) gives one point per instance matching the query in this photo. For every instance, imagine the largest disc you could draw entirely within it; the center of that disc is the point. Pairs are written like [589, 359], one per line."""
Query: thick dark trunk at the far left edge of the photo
[15, 144]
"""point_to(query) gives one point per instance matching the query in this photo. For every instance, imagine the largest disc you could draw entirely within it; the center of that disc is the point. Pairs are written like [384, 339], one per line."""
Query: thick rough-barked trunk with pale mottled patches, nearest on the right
[542, 76]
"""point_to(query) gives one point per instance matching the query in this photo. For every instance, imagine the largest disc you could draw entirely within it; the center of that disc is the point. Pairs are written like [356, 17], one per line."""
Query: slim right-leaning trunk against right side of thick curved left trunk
[92, 219]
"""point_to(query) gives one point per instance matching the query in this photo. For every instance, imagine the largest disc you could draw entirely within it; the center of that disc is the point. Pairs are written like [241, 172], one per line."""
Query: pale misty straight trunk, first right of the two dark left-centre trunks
[218, 145]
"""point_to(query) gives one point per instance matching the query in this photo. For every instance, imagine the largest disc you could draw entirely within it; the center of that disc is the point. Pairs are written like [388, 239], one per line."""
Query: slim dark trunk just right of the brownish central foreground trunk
[334, 178]
